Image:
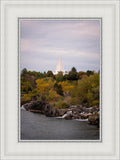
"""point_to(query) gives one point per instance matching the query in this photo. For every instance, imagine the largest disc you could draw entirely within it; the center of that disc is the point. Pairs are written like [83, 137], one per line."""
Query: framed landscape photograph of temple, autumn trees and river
[60, 79]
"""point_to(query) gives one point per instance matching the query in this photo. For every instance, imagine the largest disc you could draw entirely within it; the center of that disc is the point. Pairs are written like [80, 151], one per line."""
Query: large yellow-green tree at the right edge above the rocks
[87, 90]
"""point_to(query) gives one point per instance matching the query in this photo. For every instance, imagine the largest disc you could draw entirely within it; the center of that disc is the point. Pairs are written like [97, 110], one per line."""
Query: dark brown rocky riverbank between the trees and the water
[73, 112]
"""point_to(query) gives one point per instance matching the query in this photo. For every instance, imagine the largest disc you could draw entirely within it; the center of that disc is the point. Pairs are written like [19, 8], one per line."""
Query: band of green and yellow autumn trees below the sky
[61, 90]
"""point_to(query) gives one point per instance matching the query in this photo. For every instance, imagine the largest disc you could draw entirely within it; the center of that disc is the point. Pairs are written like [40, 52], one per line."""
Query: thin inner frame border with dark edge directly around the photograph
[100, 70]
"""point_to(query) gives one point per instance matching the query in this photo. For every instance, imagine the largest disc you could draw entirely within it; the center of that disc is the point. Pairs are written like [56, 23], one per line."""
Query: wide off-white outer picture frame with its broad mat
[11, 148]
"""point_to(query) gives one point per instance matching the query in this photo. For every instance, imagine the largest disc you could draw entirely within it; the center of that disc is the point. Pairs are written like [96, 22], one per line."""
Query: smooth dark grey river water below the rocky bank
[35, 126]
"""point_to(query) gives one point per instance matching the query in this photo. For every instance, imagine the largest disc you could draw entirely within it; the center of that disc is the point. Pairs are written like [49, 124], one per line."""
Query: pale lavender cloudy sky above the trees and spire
[43, 41]
